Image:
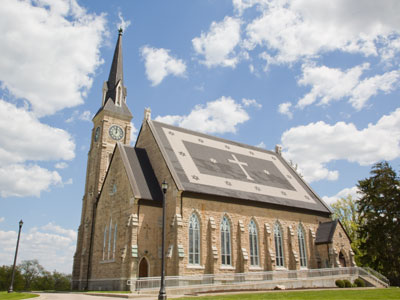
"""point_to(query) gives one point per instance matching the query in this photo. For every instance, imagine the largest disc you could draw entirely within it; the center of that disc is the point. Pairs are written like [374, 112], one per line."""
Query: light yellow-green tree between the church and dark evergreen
[346, 211]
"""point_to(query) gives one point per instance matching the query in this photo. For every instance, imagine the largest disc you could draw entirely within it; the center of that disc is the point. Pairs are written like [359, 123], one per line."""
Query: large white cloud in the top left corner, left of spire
[49, 44]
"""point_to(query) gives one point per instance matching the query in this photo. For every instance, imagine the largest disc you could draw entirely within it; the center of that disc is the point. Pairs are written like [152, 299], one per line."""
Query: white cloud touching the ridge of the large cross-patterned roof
[219, 116]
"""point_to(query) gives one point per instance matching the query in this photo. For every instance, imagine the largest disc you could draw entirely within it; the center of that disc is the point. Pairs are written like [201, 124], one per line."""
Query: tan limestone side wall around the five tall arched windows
[240, 214]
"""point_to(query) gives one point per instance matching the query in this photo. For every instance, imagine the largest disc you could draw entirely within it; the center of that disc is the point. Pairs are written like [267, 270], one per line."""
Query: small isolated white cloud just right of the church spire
[160, 64]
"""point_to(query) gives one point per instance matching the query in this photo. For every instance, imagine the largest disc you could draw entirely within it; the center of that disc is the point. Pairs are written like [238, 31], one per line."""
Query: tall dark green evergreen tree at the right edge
[379, 228]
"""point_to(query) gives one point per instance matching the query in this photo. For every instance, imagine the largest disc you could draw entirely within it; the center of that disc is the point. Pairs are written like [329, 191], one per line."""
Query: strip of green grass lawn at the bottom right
[339, 294]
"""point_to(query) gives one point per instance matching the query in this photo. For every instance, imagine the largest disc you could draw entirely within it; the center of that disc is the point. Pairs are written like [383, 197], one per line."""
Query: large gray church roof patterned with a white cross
[210, 165]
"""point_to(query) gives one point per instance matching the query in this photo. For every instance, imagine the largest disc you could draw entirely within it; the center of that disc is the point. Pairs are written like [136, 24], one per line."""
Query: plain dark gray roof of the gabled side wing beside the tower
[140, 173]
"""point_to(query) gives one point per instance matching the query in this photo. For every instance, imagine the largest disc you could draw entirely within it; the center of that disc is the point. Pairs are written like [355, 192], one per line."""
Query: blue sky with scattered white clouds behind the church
[319, 78]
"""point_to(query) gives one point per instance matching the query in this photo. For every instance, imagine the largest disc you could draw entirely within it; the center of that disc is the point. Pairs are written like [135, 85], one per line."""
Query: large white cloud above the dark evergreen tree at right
[314, 145]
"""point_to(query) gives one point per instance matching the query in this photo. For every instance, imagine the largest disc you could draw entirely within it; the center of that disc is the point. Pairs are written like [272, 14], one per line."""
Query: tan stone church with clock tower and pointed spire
[230, 207]
